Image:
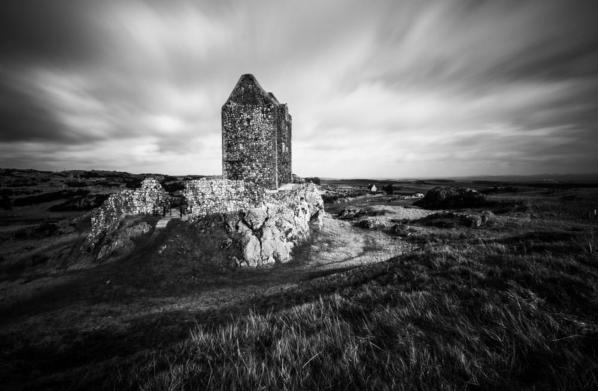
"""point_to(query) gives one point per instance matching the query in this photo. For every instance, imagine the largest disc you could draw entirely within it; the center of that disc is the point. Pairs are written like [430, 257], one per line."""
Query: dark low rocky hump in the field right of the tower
[452, 197]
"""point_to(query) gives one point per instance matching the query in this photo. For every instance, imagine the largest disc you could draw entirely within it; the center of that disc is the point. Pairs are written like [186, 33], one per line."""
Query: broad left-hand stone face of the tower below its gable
[249, 138]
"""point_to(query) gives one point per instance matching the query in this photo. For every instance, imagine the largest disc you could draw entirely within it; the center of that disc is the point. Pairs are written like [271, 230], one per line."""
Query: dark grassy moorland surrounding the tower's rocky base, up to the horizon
[391, 293]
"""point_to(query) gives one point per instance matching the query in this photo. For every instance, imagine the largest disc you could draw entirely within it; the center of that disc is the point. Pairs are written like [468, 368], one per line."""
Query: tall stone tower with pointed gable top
[256, 136]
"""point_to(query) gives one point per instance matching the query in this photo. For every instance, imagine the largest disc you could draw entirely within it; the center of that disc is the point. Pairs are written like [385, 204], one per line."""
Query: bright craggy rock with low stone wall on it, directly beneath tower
[265, 227]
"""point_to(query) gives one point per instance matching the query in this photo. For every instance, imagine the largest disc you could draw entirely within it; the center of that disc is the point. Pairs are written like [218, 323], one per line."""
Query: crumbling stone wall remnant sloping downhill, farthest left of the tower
[149, 199]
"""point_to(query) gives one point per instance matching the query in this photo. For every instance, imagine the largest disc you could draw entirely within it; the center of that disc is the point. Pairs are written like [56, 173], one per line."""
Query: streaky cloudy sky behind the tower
[376, 88]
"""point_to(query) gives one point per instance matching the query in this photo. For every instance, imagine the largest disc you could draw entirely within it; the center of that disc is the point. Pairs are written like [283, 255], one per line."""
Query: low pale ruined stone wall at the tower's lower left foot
[210, 196]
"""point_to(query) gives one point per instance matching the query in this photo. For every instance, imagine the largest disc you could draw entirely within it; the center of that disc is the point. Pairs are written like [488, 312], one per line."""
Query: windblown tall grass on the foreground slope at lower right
[477, 317]
